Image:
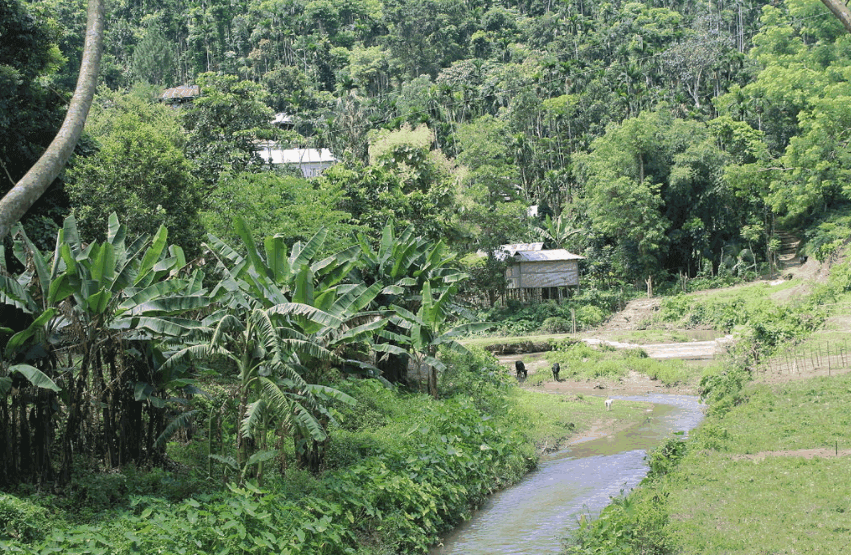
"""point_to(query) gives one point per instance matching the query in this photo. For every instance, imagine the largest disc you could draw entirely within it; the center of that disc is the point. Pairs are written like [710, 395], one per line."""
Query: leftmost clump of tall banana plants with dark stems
[99, 305]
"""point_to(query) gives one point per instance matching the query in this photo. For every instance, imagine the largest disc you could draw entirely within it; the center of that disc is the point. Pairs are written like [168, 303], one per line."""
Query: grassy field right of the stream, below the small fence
[766, 477]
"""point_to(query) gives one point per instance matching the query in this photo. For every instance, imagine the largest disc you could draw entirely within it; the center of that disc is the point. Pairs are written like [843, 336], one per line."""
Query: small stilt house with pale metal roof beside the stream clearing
[537, 274]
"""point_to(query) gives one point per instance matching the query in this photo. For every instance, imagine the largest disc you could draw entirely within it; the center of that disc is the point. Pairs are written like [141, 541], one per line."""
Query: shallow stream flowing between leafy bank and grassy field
[532, 517]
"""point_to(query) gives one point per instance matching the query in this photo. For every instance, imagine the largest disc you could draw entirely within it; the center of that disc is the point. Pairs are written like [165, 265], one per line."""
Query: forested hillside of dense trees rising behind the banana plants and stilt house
[660, 137]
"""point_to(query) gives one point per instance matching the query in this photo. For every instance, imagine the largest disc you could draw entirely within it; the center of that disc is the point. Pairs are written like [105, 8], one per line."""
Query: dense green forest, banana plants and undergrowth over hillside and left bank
[181, 321]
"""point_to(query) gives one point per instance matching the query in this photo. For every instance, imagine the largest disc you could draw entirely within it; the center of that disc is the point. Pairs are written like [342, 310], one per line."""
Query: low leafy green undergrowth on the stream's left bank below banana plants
[401, 468]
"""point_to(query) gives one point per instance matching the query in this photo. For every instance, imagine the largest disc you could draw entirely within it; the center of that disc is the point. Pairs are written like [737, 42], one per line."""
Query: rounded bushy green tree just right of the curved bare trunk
[139, 154]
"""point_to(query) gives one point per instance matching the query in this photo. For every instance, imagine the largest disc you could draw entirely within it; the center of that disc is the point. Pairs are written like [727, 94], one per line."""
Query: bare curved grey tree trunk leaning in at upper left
[30, 188]
